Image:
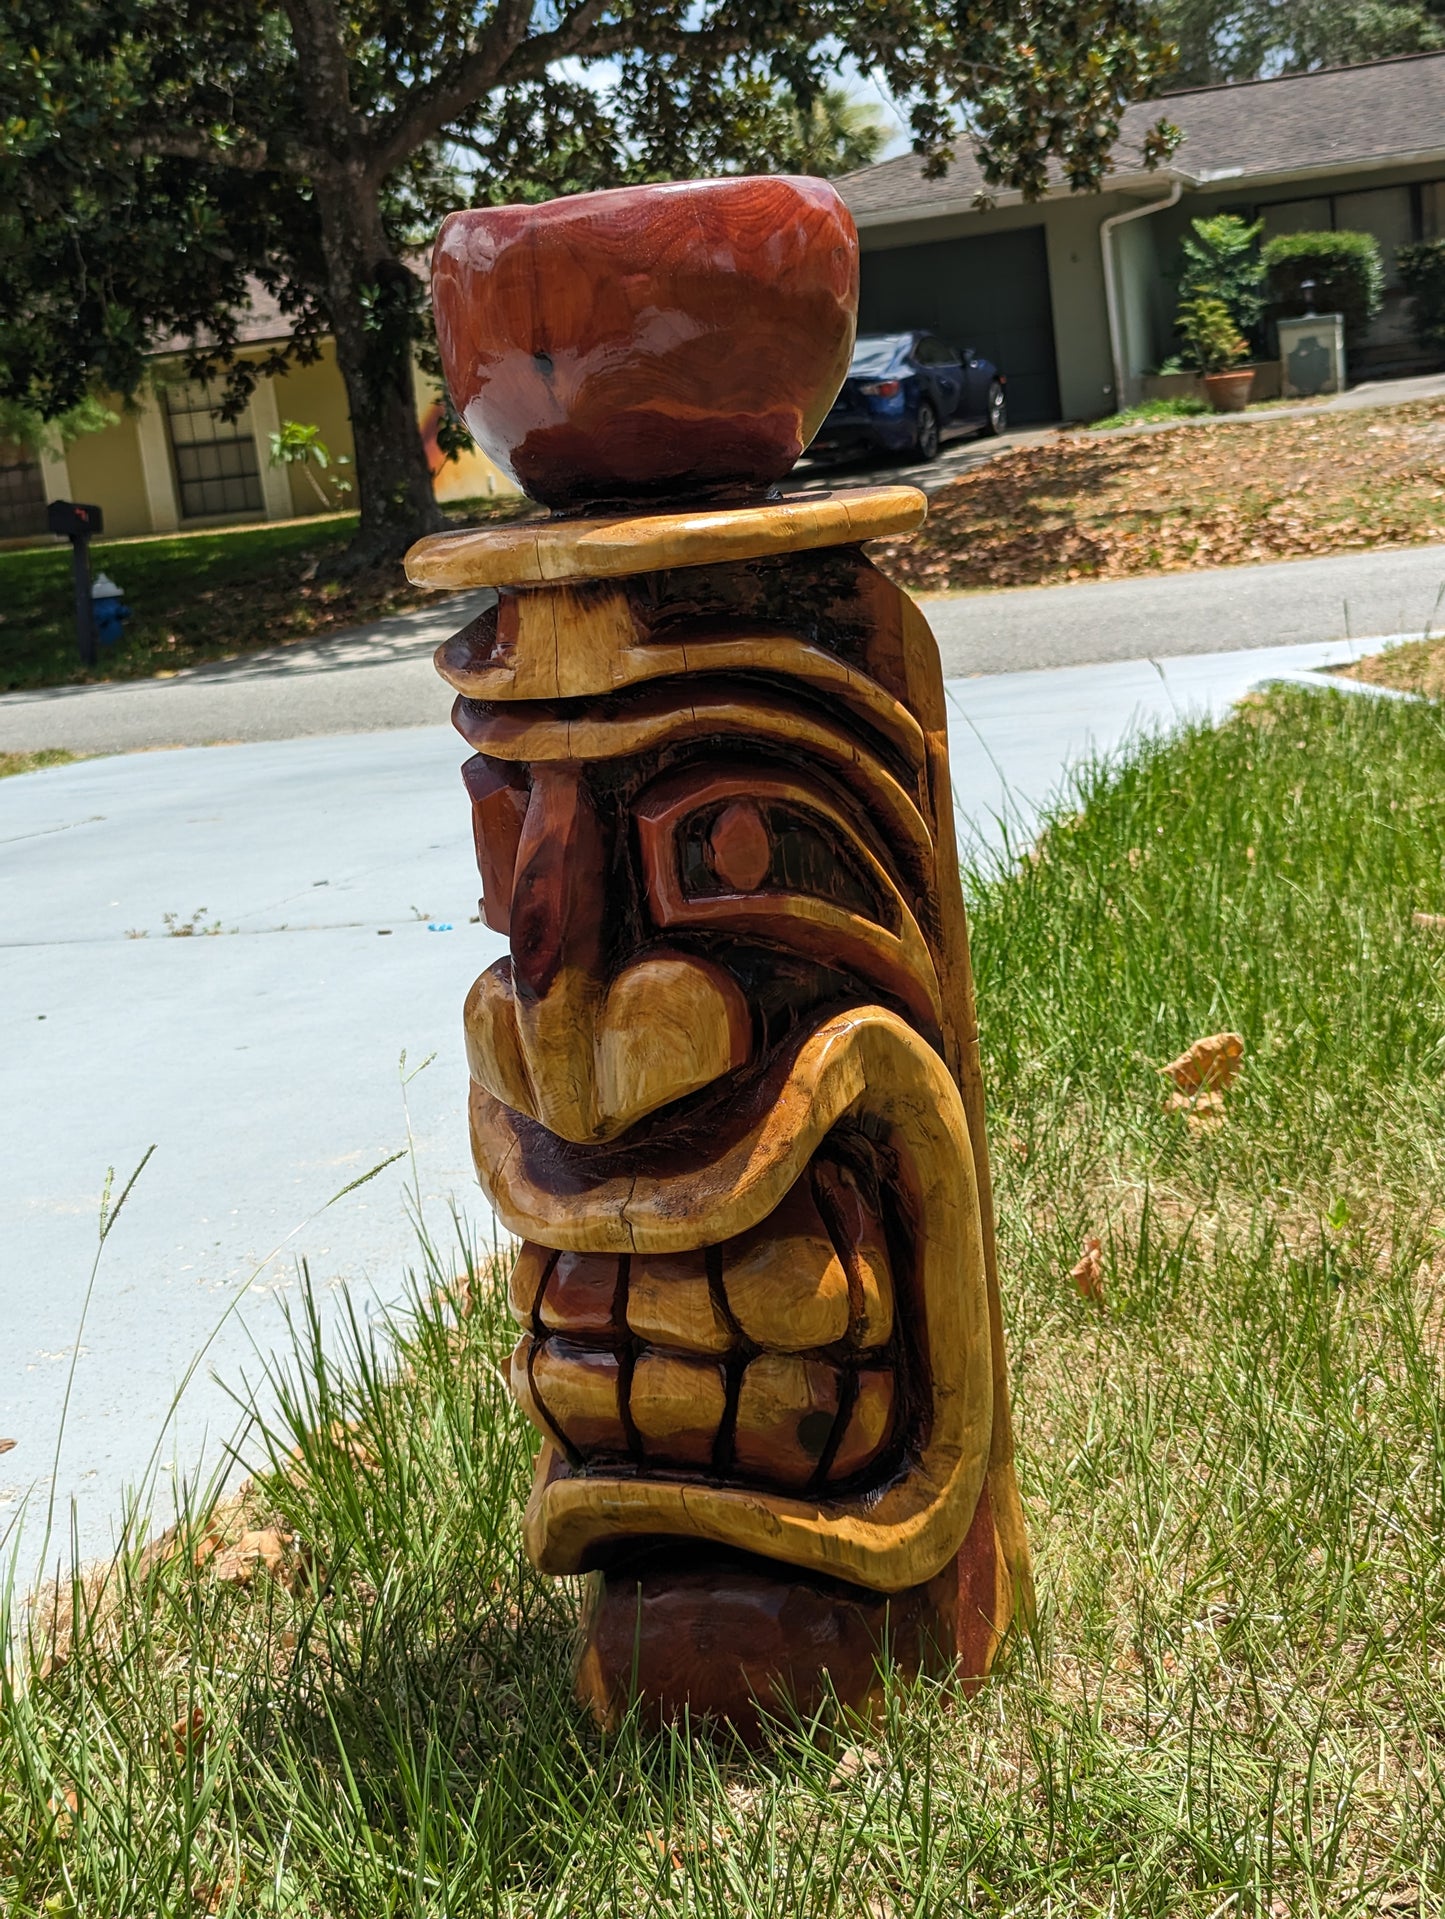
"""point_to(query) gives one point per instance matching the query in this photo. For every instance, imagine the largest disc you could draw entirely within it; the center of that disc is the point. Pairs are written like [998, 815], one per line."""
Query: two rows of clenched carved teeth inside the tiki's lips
[772, 1362]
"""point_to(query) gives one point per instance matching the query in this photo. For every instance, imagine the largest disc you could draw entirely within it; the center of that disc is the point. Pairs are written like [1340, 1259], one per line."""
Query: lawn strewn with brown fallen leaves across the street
[1220, 494]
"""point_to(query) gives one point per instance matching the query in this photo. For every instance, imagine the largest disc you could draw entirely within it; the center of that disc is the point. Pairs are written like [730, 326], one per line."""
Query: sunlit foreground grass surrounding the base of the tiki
[1235, 1475]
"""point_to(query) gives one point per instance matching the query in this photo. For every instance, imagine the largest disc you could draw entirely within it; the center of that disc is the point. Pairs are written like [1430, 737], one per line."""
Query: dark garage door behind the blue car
[989, 295]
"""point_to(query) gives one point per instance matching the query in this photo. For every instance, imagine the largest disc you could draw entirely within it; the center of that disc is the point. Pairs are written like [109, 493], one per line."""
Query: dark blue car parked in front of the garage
[905, 392]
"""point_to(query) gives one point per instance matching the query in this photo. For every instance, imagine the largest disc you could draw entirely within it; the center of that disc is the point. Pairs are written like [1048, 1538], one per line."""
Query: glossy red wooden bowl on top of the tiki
[655, 343]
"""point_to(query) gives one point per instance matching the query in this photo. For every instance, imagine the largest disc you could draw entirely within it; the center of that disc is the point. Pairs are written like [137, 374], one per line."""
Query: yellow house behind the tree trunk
[172, 463]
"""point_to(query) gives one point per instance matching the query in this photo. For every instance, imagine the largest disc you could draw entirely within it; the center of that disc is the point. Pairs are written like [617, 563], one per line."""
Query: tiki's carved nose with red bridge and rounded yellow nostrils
[580, 1045]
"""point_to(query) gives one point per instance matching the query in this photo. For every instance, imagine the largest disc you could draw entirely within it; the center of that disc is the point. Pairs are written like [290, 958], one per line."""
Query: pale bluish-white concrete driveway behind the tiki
[224, 953]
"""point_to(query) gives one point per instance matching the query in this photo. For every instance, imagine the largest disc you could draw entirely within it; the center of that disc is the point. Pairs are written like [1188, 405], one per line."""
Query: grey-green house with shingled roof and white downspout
[1074, 295]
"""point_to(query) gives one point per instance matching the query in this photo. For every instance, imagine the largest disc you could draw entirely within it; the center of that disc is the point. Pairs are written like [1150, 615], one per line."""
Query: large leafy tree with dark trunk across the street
[158, 158]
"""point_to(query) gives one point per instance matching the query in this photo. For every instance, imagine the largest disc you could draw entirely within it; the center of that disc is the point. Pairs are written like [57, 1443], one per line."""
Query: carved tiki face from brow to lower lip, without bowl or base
[719, 1085]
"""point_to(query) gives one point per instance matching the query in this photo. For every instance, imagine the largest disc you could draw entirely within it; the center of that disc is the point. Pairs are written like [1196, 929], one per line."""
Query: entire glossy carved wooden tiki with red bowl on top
[726, 1087]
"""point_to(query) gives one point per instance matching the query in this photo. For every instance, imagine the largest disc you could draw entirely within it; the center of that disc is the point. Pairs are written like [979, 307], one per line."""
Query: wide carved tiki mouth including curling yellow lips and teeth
[815, 1386]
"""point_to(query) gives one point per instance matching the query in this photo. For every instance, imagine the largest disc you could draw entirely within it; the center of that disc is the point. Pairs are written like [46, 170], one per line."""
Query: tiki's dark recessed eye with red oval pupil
[772, 845]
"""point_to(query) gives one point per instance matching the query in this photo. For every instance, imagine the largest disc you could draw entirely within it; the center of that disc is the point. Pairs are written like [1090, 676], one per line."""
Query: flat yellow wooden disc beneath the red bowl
[536, 554]
